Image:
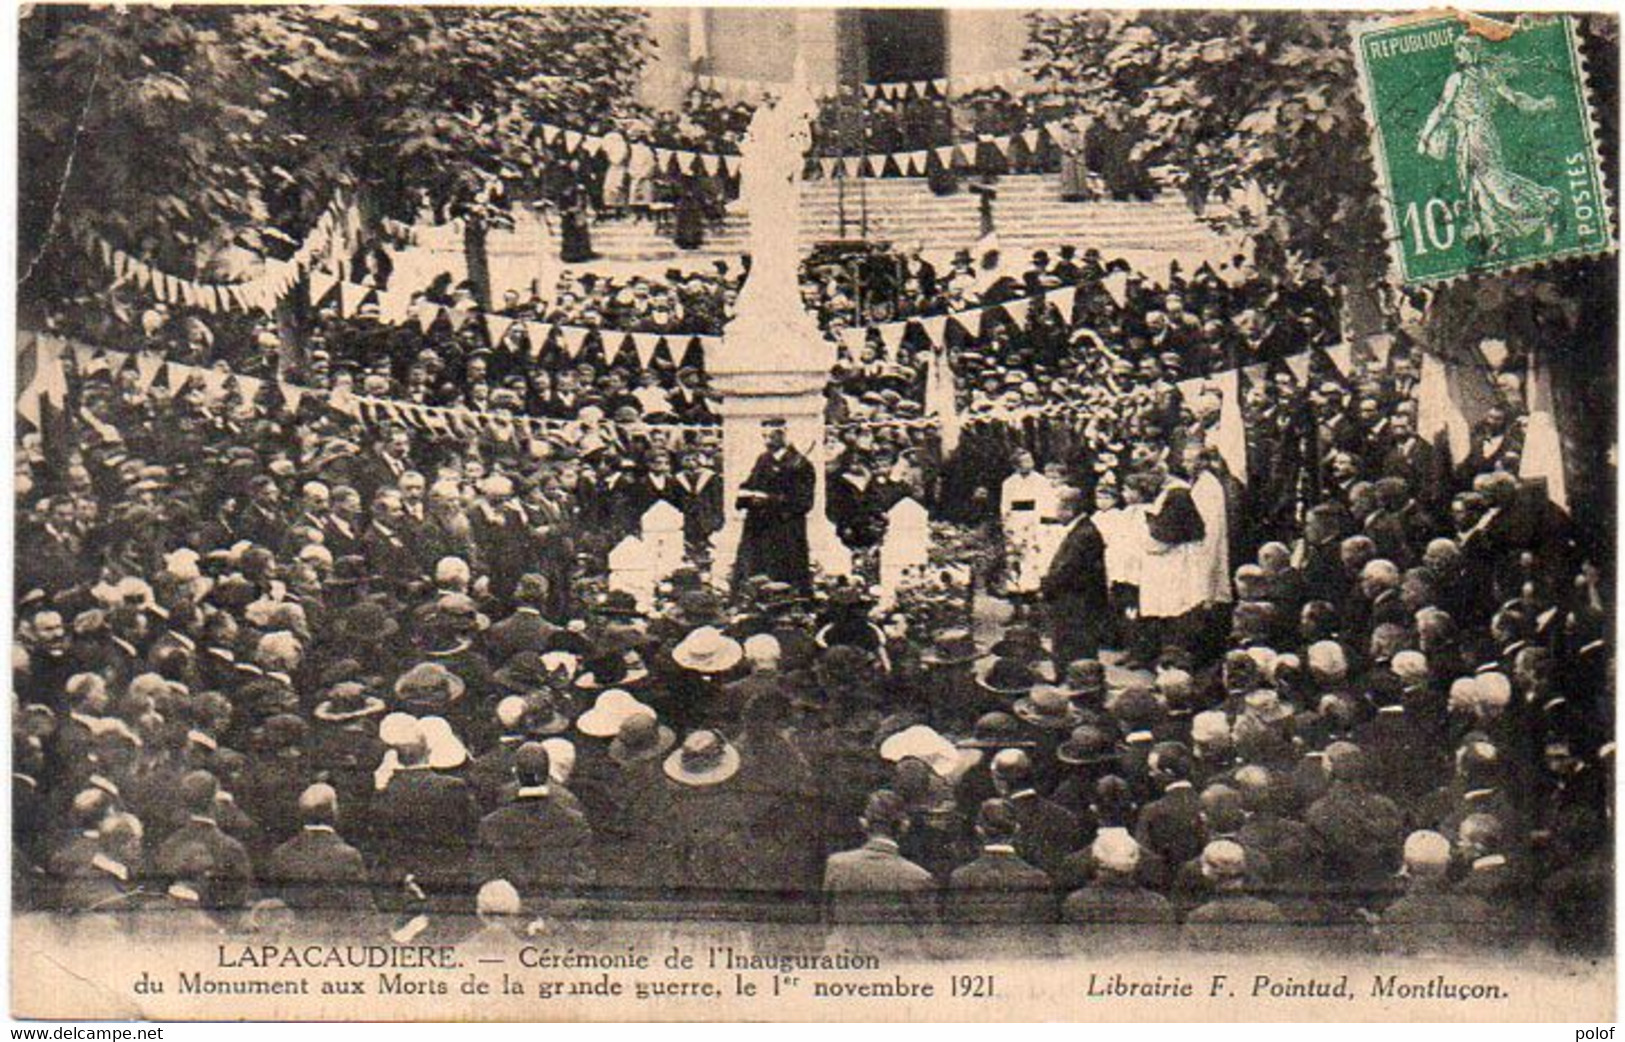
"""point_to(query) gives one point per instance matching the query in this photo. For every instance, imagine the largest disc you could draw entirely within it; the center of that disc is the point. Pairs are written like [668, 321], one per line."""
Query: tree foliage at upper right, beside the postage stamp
[1233, 105]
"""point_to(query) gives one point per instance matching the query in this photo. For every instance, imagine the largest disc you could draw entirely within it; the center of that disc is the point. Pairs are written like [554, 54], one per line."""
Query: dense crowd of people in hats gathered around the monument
[284, 669]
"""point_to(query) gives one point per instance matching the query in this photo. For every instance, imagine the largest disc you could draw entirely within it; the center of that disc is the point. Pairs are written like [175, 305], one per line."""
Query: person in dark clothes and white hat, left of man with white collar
[423, 822]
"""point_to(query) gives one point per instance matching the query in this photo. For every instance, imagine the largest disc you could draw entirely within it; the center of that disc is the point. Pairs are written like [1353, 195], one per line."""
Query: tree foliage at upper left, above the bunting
[180, 132]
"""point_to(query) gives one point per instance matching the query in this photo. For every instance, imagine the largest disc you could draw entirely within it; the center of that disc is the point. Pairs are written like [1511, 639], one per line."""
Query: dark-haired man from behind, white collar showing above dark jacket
[540, 841]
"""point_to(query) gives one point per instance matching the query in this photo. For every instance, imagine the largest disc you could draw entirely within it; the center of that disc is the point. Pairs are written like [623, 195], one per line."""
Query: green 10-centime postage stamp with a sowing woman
[1486, 149]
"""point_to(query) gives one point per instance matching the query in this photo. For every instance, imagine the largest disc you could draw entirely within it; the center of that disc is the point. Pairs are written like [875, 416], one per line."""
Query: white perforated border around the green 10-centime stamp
[1392, 243]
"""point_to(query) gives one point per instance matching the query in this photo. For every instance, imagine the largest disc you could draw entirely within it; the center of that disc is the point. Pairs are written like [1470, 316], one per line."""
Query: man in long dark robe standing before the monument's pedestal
[776, 498]
